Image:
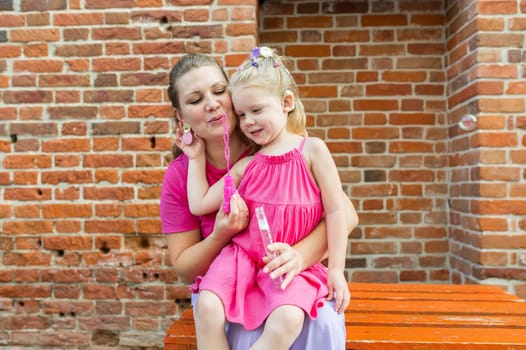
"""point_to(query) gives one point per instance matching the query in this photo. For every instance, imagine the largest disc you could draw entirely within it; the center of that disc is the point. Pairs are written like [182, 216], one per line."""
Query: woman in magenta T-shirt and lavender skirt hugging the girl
[198, 92]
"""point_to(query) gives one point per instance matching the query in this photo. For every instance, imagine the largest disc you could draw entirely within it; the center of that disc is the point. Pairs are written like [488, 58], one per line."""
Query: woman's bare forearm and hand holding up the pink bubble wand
[191, 255]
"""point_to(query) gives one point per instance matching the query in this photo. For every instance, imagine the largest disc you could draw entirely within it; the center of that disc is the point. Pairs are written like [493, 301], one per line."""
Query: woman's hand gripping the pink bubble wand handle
[237, 220]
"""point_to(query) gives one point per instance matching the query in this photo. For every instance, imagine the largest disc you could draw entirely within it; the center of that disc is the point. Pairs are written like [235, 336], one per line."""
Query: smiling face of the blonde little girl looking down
[262, 115]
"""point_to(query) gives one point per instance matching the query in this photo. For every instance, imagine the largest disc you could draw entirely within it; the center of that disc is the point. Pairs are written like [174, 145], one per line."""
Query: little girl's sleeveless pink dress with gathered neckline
[283, 185]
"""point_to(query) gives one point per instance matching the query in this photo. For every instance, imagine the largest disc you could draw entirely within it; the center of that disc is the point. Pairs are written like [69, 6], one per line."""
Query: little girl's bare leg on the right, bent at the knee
[282, 327]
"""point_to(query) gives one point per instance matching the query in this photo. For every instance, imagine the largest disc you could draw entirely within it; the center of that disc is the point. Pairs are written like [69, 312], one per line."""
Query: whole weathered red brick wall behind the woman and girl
[85, 134]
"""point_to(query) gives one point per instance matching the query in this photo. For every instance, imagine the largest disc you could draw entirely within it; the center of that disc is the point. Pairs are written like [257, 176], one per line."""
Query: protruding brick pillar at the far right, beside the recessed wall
[485, 69]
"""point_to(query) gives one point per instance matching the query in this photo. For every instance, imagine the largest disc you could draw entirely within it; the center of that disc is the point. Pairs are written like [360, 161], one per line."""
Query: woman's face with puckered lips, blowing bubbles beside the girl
[203, 98]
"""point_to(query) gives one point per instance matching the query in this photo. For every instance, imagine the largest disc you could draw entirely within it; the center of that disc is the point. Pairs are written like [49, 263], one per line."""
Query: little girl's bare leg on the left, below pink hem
[210, 322]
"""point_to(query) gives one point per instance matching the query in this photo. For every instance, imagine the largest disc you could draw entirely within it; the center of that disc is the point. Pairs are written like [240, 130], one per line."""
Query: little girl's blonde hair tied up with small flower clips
[266, 69]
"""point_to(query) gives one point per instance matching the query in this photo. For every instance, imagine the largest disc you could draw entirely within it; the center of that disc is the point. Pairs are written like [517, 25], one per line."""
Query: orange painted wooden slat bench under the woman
[415, 316]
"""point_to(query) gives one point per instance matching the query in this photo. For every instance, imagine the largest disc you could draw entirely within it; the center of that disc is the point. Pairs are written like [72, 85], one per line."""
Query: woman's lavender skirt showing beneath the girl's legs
[325, 332]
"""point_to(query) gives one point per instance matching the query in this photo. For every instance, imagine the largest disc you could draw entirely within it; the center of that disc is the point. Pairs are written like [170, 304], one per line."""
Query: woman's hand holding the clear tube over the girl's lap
[286, 261]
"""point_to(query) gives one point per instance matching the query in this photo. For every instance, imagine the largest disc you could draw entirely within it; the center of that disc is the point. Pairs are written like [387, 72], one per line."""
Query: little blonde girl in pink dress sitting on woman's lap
[294, 178]
